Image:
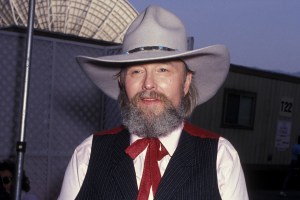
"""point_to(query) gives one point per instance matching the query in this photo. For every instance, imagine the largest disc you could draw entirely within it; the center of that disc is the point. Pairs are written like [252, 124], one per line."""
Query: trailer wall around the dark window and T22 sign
[256, 146]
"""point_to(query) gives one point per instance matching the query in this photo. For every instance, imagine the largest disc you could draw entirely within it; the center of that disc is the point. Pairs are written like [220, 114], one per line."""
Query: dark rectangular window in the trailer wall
[238, 109]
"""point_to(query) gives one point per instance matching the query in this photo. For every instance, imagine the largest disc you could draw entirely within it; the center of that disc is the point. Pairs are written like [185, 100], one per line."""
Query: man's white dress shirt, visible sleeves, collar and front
[231, 181]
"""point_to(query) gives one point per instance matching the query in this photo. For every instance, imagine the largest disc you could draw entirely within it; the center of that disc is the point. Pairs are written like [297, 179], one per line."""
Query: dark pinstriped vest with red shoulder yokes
[191, 172]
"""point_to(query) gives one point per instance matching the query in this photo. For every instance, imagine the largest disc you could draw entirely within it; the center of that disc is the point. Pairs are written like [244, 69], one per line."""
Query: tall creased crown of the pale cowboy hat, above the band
[156, 27]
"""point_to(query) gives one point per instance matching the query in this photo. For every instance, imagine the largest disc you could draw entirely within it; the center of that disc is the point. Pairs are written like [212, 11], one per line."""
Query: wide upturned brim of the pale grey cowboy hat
[210, 64]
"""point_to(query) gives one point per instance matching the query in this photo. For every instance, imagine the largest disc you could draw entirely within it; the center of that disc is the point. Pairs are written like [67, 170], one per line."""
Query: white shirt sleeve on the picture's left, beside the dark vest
[76, 170]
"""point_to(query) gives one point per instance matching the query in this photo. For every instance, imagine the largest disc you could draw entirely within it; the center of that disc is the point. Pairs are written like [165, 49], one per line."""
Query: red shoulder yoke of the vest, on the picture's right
[198, 132]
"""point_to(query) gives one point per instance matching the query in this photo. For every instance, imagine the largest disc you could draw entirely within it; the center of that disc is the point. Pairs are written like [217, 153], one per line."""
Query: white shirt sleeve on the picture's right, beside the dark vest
[231, 180]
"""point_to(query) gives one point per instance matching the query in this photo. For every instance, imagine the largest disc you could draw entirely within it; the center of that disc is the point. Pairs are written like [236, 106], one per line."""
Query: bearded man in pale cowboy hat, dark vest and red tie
[156, 153]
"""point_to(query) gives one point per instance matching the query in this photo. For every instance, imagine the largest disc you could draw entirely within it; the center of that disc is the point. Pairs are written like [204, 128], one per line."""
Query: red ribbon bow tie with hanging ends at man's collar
[151, 174]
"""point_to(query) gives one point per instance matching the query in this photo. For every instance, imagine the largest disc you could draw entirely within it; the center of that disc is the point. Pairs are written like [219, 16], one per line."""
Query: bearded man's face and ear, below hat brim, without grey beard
[151, 79]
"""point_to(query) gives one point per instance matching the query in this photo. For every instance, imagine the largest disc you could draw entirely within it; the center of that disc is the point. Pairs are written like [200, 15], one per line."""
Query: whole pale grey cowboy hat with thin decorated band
[157, 34]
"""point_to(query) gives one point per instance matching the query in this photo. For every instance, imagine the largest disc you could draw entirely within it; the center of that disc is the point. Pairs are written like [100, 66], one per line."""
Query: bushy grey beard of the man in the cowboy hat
[150, 124]
